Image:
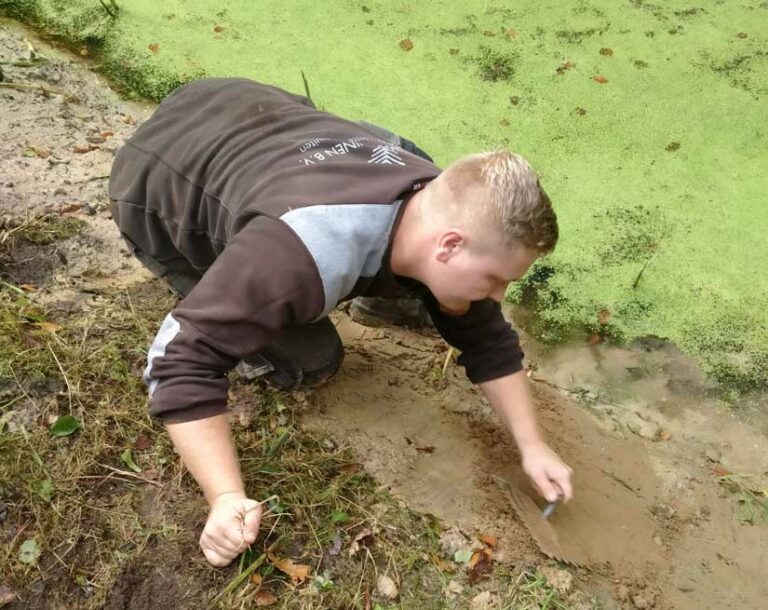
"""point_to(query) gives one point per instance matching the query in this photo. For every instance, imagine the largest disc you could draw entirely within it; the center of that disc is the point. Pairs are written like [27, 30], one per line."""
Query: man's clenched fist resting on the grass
[232, 526]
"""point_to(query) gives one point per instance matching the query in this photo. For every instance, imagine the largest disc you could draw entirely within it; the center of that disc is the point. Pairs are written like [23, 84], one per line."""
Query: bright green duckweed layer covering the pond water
[658, 173]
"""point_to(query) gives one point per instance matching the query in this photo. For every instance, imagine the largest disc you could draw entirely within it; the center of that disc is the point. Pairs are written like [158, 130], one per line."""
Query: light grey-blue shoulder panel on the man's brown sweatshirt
[346, 241]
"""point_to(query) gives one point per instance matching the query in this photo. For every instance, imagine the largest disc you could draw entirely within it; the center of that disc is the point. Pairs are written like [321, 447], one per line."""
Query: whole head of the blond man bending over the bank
[482, 223]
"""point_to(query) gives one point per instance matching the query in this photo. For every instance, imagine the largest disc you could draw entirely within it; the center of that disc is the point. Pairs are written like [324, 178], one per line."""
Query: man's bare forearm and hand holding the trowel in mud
[511, 399]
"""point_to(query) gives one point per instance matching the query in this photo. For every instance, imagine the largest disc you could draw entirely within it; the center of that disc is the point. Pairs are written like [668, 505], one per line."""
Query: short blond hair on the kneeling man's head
[502, 188]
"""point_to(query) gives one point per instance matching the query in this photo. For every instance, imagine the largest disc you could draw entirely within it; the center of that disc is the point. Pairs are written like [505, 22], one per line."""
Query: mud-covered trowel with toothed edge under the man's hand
[537, 523]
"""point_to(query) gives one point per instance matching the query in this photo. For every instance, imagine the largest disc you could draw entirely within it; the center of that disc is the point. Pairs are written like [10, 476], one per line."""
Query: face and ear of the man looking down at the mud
[462, 272]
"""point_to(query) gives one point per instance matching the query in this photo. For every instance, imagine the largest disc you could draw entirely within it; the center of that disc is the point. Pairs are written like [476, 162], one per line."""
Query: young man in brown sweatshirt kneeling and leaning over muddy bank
[265, 213]
